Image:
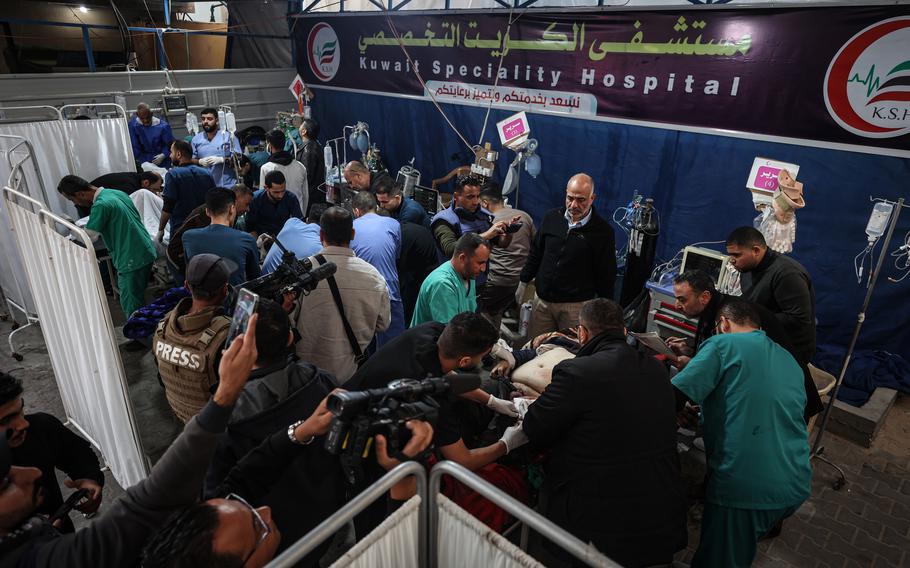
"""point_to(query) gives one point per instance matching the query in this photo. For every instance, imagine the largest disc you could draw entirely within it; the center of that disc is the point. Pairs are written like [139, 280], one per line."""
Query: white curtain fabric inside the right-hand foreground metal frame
[465, 542]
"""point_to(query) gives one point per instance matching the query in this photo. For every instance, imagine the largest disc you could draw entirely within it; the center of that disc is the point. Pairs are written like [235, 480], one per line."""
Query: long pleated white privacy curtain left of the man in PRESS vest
[77, 329]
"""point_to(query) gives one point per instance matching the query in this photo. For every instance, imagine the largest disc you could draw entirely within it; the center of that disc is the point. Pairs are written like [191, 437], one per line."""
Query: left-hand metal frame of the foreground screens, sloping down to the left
[326, 529]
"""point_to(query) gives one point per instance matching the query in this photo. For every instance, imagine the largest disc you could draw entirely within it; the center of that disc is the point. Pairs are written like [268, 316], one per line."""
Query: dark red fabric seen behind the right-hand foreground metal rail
[508, 479]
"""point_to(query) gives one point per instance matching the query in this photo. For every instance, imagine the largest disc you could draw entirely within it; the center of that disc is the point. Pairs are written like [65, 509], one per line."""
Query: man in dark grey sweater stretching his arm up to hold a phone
[117, 537]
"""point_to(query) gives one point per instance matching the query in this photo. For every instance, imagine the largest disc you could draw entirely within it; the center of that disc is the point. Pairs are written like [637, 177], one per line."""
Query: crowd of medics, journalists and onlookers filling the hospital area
[414, 295]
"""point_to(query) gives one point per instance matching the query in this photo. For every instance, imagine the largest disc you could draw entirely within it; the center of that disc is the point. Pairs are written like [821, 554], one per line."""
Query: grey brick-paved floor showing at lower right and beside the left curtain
[864, 524]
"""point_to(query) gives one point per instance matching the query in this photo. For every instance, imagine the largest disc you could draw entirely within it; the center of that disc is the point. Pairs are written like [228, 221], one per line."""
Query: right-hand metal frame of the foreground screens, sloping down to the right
[585, 552]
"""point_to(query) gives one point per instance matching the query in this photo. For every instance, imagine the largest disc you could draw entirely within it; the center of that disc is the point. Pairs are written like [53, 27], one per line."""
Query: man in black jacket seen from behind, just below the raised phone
[280, 390]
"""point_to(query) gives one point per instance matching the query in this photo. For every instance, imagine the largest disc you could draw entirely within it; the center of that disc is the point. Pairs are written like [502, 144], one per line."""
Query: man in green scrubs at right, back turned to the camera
[752, 398]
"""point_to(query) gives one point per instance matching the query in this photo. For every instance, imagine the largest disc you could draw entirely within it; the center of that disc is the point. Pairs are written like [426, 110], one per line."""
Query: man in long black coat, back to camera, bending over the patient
[609, 417]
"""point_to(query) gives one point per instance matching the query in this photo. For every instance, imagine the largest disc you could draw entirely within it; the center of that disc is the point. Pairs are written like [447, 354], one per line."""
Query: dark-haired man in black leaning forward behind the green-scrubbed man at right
[697, 298]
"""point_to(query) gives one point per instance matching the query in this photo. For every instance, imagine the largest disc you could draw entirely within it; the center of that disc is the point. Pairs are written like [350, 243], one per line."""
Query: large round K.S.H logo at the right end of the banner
[867, 86]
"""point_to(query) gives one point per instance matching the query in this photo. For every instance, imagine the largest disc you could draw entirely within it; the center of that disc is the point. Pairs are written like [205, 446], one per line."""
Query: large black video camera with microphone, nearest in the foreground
[360, 415]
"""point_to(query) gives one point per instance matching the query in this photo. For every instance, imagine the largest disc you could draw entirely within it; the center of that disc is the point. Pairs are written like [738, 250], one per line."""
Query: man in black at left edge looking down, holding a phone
[40, 440]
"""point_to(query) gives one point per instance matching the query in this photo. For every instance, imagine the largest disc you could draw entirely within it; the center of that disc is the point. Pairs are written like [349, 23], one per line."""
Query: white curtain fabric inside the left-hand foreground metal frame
[392, 543]
